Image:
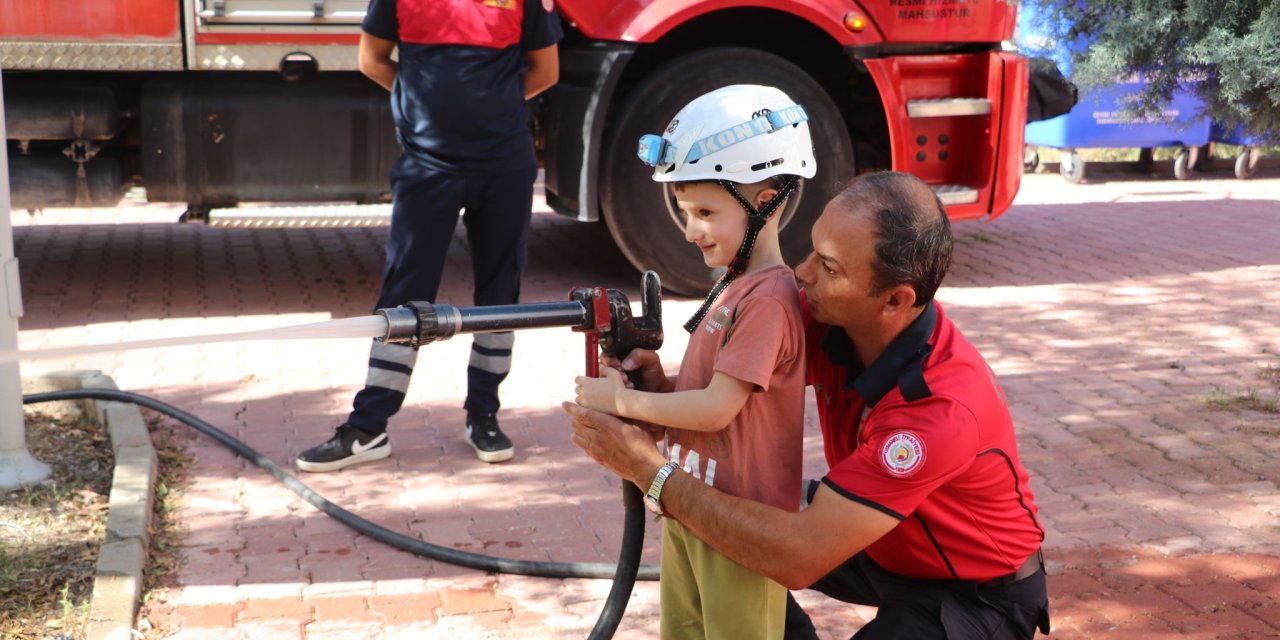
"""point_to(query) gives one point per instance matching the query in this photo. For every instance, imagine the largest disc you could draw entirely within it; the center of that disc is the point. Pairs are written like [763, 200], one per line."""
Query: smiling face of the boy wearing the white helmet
[714, 221]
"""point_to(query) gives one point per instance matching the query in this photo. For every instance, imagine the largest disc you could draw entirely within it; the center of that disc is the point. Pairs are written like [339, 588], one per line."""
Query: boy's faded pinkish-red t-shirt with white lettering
[755, 333]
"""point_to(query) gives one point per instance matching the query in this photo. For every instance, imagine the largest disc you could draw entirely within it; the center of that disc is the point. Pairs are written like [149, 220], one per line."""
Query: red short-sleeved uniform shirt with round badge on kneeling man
[924, 435]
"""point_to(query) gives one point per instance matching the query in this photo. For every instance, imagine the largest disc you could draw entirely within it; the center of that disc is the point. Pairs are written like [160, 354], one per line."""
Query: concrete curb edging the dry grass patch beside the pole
[121, 560]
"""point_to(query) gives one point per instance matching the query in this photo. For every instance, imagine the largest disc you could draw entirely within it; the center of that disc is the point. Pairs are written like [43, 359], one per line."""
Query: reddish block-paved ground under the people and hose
[1132, 323]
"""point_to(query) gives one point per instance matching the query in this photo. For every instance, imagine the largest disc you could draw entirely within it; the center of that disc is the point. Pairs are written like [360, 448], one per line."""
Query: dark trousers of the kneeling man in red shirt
[929, 610]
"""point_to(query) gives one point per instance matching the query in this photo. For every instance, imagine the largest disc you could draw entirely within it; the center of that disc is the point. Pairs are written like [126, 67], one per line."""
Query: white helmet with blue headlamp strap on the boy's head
[742, 134]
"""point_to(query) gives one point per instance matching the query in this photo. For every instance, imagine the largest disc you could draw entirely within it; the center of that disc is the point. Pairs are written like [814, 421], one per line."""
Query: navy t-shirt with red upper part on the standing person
[460, 108]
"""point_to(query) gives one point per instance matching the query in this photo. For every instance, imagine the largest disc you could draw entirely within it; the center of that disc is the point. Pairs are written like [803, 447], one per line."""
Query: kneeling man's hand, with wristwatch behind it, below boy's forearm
[621, 447]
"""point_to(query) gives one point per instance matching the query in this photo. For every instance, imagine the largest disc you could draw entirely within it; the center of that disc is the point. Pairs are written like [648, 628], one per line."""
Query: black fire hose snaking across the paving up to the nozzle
[624, 574]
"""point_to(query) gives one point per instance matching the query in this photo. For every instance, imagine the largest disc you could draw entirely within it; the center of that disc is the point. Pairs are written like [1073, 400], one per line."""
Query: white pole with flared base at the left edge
[17, 467]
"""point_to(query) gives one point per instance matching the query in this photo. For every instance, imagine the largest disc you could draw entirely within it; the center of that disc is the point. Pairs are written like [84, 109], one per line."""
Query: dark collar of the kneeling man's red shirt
[900, 365]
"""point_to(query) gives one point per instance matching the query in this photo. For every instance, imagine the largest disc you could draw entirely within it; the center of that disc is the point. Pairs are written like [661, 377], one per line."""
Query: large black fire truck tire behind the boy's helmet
[642, 214]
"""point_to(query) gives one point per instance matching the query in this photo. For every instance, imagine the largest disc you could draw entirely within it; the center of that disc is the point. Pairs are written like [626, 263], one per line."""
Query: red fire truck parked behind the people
[213, 103]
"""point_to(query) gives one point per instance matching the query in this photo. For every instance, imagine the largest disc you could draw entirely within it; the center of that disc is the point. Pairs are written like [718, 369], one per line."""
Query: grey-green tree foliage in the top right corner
[1226, 51]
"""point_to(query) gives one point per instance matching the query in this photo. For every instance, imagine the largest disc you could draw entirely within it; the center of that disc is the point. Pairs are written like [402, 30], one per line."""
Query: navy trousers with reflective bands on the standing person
[426, 207]
